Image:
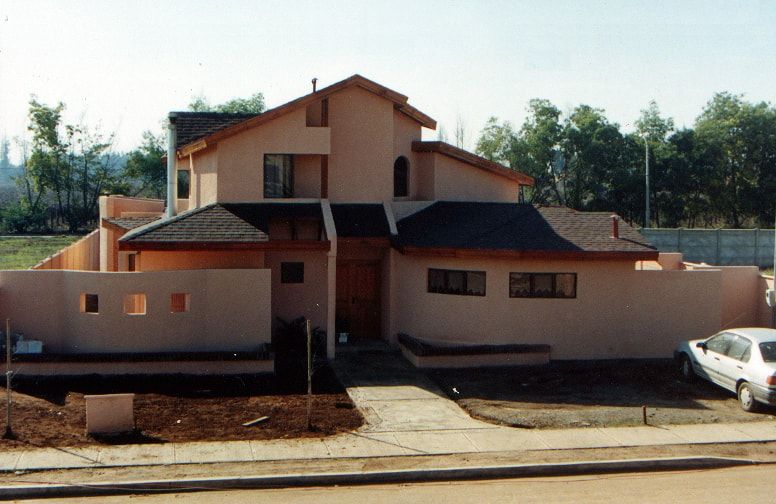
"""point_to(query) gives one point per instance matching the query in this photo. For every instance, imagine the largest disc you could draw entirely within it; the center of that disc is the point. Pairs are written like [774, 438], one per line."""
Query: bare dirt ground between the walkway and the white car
[590, 395]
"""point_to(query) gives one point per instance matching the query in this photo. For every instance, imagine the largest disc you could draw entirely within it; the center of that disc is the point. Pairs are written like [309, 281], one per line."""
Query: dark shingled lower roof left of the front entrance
[222, 223]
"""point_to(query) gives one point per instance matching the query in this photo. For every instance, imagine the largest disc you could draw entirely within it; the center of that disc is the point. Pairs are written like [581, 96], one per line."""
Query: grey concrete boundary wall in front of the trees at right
[743, 247]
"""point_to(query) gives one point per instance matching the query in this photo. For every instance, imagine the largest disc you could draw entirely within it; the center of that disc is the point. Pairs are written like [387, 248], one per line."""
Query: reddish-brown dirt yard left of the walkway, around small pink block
[51, 412]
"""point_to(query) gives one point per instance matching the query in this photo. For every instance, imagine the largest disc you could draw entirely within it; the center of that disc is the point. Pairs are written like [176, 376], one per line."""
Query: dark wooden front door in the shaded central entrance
[358, 299]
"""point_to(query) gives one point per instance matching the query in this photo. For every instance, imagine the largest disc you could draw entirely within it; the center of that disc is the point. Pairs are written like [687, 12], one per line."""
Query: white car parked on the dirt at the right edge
[740, 360]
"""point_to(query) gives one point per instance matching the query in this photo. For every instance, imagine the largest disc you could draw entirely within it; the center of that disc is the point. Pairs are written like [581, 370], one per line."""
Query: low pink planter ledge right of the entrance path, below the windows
[440, 354]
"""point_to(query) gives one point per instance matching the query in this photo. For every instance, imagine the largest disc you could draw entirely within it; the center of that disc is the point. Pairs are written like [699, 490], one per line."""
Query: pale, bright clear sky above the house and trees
[121, 66]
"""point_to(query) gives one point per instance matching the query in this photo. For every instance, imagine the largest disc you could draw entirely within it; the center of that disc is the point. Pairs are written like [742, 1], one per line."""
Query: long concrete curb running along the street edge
[369, 477]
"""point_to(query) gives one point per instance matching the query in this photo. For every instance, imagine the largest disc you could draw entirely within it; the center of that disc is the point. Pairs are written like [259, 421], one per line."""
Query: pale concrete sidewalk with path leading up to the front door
[406, 415]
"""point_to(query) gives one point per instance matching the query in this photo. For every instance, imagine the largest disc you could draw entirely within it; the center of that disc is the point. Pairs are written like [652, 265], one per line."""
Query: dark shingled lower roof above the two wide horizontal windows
[516, 227]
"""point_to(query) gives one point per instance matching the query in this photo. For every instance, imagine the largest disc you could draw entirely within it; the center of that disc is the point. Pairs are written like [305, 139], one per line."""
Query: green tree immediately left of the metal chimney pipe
[144, 164]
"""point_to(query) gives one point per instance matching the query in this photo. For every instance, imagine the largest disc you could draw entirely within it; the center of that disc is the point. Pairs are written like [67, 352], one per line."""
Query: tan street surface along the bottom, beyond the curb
[741, 484]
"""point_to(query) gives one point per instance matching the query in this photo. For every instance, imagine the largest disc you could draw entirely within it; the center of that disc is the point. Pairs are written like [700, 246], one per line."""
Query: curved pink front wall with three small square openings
[228, 310]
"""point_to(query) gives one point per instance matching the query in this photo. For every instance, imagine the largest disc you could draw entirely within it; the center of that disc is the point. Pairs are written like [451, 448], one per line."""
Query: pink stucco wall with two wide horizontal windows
[619, 312]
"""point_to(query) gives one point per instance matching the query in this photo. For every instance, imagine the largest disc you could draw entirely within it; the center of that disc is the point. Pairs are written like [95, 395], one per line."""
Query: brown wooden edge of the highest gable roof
[398, 99]
